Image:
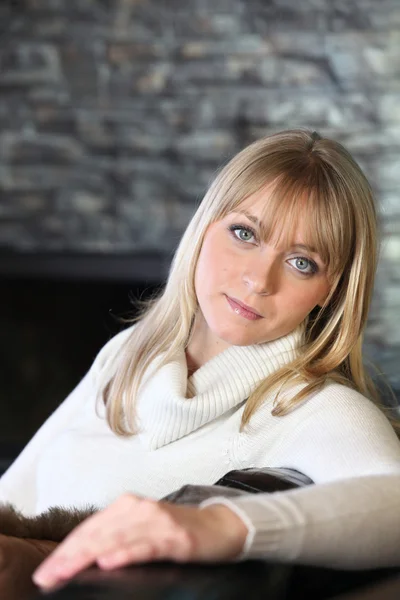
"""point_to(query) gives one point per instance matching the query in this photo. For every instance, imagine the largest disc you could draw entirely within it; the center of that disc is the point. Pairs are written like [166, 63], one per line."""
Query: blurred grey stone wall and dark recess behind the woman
[115, 116]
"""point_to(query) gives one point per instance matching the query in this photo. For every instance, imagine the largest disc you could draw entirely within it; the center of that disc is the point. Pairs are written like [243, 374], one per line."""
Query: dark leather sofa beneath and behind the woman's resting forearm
[244, 580]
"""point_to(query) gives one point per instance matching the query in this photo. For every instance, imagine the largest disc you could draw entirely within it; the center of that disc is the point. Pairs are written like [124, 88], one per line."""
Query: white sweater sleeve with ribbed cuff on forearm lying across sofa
[347, 524]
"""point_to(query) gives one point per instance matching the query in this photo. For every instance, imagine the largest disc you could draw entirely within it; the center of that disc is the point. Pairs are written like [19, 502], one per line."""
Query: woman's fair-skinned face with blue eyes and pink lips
[280, 285]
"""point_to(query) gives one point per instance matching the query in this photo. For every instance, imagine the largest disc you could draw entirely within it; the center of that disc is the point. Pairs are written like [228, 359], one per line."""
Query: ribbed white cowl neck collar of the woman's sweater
[171, 405]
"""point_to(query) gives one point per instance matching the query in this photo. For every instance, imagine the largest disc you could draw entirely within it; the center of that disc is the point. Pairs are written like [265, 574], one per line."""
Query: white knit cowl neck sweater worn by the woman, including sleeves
[189, 433]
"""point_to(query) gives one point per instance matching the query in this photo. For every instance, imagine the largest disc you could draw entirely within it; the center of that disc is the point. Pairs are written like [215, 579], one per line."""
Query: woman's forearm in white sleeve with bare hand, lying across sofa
[350, 524]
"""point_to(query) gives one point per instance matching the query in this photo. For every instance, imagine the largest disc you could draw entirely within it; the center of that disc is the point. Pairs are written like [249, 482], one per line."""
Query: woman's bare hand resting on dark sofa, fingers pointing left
[133, 530]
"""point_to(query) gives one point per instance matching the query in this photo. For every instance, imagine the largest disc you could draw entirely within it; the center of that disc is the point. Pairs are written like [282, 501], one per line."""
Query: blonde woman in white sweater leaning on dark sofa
[251, 356]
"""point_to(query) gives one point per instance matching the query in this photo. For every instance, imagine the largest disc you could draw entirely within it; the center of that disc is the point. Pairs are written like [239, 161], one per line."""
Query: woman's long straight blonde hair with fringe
[309, 173]
